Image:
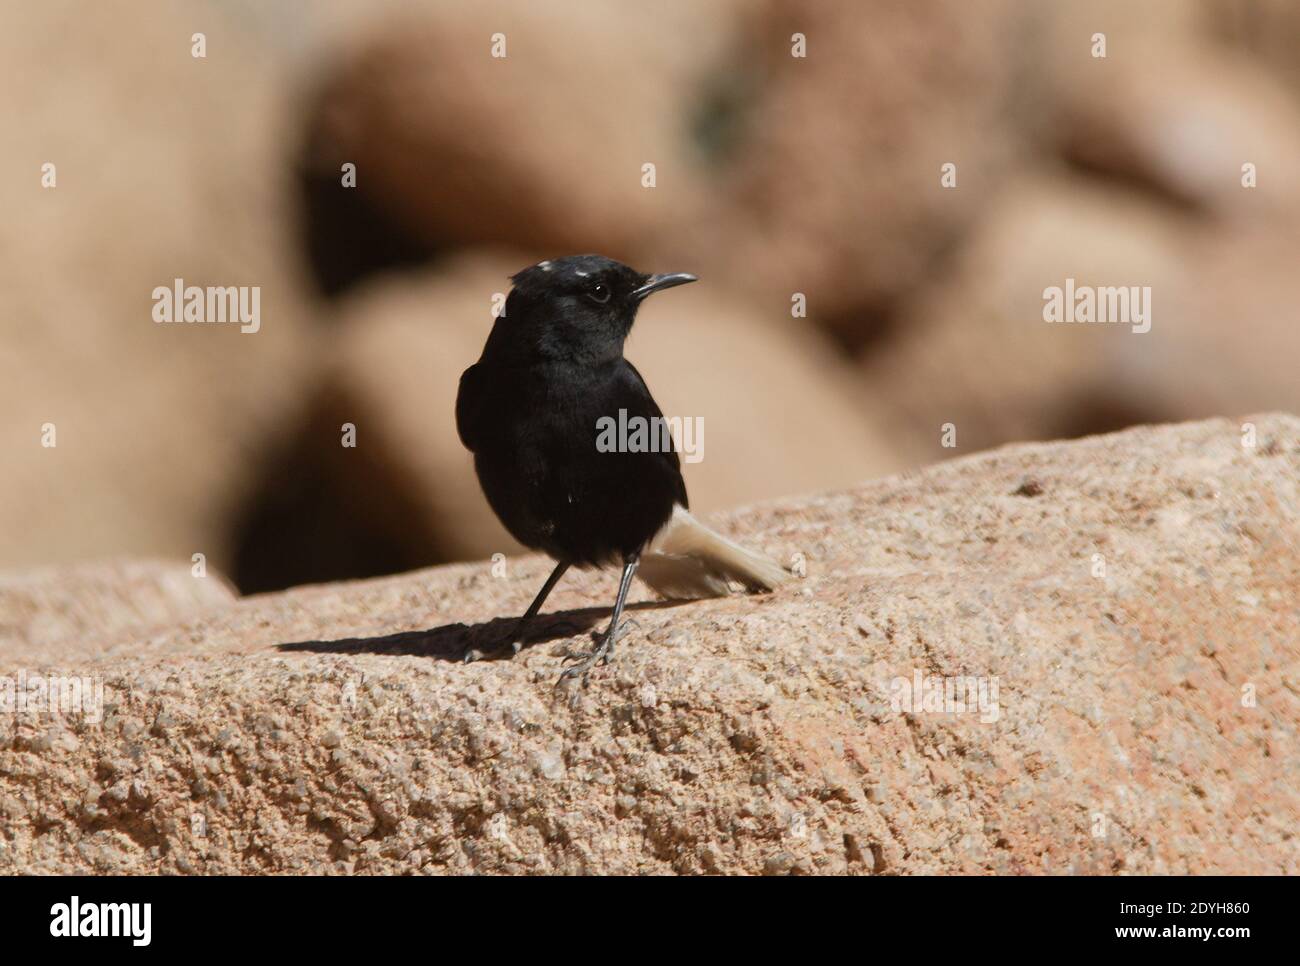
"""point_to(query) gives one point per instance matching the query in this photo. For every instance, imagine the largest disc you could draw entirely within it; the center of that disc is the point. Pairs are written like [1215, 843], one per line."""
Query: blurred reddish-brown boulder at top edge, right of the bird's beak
[833, 185]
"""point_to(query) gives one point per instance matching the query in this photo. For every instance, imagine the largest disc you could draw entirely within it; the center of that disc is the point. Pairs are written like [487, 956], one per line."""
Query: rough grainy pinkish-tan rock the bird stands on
[1133, 596]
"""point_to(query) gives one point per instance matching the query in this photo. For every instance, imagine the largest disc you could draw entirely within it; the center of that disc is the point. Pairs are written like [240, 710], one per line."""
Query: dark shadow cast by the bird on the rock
[453, 642]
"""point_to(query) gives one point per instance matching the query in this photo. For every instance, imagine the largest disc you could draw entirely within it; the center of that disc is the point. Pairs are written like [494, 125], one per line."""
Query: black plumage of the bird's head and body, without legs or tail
[530, 411]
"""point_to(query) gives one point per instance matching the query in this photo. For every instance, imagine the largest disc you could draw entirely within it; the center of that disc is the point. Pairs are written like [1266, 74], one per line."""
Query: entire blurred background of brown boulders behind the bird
[774, 176]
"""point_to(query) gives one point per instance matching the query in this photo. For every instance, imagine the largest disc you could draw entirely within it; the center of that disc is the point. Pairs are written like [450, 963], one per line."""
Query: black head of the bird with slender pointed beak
[580, 305]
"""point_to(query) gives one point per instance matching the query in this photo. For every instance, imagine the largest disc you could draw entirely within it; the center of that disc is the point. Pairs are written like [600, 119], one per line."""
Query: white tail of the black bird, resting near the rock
[688, 561]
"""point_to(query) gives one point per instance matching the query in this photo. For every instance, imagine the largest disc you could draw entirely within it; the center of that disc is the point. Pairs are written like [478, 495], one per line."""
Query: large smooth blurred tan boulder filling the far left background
[127, 436]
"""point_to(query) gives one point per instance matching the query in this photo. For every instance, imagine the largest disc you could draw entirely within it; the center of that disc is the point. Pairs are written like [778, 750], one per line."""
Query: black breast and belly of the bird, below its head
[534, 432]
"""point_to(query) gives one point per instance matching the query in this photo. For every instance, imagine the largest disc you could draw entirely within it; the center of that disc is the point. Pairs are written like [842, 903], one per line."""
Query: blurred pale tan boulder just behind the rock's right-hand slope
[974, 352]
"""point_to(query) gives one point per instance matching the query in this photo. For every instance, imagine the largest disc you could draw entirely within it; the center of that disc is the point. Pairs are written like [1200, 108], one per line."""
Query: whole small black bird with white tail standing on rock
[530, 411]
